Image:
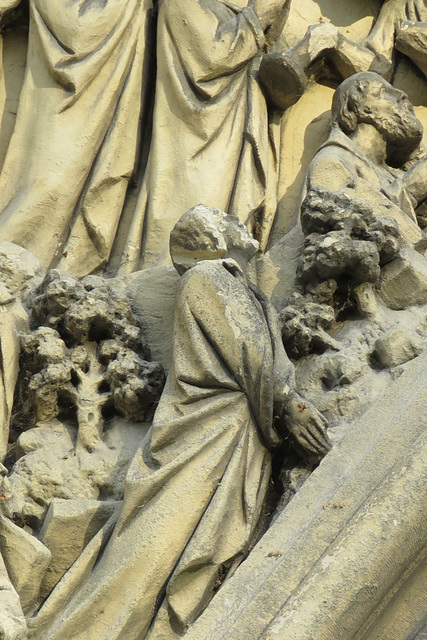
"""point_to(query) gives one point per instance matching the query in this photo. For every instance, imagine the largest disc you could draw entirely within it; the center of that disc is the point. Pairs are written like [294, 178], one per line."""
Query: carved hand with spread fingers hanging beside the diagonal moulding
[307, 426]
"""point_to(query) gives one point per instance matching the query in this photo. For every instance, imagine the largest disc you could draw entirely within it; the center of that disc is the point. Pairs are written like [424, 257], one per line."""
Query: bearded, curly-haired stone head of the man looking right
[367, 98]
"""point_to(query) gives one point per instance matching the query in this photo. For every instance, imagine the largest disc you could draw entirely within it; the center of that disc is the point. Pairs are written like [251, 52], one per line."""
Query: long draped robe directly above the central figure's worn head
[210, 141]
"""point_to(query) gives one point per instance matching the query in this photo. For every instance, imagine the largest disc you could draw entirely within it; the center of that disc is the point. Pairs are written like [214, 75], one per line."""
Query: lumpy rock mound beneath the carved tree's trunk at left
[49, 467]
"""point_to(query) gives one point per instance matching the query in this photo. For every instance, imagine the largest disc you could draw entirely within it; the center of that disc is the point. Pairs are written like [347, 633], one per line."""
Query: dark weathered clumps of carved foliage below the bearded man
[345, 247]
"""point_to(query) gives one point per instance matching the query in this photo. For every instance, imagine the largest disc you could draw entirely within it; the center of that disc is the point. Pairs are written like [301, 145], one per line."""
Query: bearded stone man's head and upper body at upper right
[374, 130]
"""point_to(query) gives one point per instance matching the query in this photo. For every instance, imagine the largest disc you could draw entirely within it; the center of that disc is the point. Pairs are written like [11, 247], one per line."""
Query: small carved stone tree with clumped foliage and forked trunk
[87, 352]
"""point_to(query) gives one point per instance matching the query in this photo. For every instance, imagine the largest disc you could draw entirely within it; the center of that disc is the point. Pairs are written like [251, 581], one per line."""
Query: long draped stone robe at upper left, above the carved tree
[75, 140]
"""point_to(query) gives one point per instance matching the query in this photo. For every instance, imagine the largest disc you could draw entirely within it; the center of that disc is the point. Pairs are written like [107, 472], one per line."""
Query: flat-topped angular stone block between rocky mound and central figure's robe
[67, 529]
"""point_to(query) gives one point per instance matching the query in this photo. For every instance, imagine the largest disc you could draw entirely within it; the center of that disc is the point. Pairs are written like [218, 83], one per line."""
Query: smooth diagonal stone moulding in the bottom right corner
[336, 551]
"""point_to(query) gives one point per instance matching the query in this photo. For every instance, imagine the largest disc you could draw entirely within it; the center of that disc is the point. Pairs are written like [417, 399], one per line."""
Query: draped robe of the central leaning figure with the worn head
[195, 492]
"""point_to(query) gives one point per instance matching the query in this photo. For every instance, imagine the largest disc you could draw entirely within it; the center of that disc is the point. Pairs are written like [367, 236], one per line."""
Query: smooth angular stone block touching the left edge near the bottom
[26, 560]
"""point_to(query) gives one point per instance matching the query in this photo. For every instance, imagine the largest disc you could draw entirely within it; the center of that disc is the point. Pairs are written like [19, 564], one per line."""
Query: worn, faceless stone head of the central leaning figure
[206, 233]
